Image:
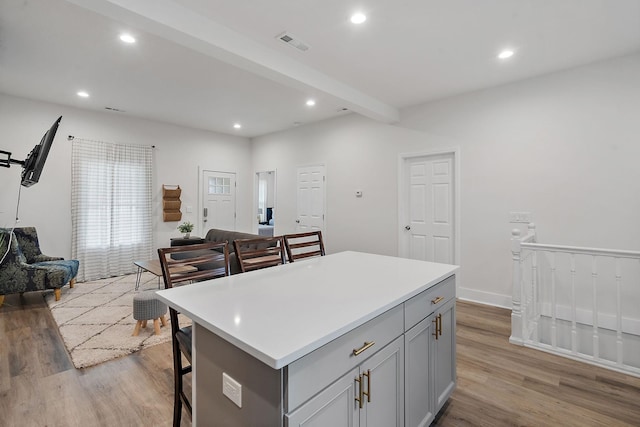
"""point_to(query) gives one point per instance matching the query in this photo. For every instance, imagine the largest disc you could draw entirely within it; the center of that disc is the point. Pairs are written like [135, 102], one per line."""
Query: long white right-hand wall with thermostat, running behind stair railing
[564, 147]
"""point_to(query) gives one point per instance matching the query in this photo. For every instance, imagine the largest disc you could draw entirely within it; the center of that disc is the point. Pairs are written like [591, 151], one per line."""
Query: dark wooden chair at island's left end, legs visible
[182, 265]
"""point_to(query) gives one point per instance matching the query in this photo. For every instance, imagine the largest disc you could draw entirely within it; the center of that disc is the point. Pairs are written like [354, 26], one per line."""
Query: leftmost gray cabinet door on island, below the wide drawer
[334, 406]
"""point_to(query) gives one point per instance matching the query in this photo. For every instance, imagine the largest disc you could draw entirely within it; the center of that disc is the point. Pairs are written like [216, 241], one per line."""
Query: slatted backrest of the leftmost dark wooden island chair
[194, 263]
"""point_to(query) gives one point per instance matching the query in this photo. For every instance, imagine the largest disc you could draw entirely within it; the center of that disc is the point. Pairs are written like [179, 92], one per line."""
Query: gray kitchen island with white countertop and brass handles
[346, 339]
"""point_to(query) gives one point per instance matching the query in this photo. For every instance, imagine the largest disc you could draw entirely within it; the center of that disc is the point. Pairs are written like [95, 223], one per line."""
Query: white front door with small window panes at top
[218, 200]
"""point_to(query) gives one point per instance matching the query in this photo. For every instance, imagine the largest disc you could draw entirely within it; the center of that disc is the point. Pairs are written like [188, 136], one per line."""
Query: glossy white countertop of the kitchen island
[282, 313]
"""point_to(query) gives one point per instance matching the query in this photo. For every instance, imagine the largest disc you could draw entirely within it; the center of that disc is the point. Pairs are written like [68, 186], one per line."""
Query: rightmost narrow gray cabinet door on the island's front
[444, 354]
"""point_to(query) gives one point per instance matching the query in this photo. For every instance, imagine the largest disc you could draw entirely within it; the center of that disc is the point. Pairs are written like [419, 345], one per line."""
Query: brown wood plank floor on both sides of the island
[499, 384]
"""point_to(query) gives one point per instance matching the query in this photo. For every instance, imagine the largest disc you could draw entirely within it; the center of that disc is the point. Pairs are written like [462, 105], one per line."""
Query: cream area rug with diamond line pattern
[95, 319]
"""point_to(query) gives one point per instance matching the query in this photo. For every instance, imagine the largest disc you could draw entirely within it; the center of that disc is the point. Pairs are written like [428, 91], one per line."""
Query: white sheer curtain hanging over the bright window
[111, 207]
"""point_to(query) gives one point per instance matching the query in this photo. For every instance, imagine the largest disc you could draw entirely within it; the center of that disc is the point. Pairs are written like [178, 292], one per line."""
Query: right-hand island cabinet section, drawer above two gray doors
[430, 364]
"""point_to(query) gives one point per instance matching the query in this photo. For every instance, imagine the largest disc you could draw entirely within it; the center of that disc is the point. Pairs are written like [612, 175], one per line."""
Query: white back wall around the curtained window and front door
[178, 154]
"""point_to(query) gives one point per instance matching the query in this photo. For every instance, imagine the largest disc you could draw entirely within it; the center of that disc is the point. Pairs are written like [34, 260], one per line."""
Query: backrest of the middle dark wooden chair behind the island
[261, 252]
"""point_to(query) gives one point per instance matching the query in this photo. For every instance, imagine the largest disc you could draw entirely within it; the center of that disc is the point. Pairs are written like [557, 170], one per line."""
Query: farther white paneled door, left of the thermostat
[310, 185]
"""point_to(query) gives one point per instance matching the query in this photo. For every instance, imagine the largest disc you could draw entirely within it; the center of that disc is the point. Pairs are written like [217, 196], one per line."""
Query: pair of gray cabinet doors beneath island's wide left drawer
[369, 395]
